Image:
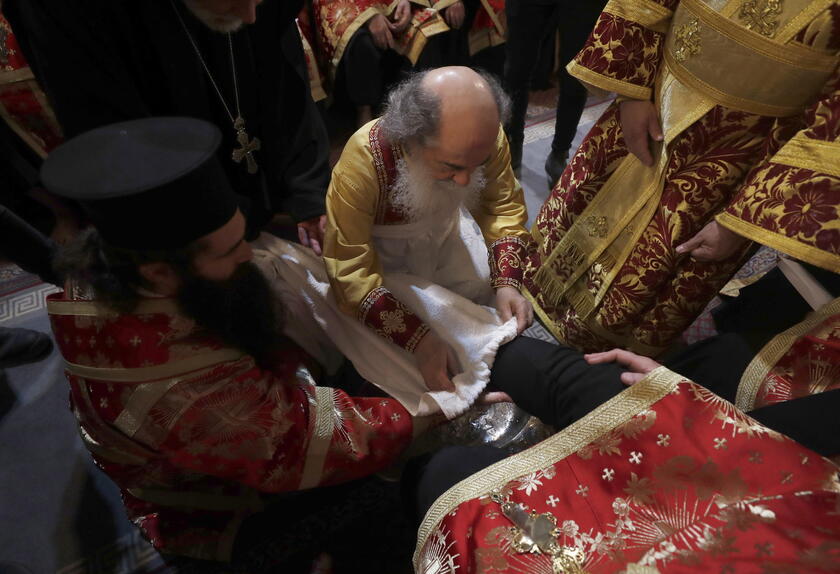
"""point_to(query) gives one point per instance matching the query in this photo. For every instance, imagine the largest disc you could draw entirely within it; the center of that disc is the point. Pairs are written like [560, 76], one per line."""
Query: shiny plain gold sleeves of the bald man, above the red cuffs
[355, 203]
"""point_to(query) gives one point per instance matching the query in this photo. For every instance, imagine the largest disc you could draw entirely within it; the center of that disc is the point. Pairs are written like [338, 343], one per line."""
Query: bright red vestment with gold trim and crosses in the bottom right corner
[663, 478]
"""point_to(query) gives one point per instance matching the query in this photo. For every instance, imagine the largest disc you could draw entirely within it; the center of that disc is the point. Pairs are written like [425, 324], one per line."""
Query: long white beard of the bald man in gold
[419, 195]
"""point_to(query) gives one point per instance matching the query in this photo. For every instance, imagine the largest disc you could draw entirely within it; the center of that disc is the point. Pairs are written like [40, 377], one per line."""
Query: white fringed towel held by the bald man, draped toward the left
[315, 322]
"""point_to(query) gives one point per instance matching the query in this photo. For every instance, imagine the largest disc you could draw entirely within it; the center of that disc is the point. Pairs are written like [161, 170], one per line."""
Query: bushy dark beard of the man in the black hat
[241, 310]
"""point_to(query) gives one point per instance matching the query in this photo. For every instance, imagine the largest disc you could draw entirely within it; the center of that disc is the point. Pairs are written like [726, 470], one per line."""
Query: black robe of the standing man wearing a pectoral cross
[104, 61]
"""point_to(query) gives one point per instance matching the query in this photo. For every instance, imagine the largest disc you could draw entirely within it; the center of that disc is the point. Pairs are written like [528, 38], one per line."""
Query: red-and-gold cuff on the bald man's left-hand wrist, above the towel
[391, 319]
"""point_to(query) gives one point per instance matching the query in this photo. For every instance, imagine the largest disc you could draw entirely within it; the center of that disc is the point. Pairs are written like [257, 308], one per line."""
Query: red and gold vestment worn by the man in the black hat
[194, 432]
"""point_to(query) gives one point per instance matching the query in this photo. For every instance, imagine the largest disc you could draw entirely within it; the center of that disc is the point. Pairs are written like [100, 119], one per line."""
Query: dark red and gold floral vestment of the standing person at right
[747, 95]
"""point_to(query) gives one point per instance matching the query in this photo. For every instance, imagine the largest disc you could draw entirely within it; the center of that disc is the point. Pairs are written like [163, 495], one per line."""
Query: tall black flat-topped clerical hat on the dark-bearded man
[152, 183]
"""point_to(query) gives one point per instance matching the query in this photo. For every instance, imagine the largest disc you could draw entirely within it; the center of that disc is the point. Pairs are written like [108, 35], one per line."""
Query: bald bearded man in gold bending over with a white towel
[416, 202]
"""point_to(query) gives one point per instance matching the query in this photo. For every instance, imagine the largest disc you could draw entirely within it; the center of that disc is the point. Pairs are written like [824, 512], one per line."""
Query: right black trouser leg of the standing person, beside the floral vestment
[576, 22]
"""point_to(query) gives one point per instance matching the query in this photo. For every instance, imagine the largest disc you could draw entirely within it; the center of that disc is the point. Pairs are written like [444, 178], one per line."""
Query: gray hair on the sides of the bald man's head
[412, 114]
